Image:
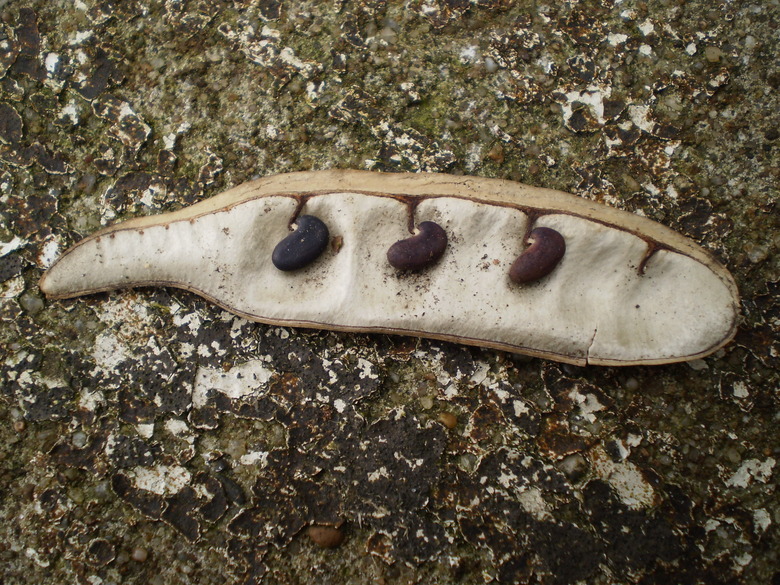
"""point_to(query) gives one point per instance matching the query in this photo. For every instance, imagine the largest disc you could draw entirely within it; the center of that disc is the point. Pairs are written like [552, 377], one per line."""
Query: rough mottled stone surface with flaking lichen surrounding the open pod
[151, 438]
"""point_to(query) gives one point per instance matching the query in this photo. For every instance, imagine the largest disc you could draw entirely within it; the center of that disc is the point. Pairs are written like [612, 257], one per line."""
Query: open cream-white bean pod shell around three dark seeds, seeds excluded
[628, 290]
